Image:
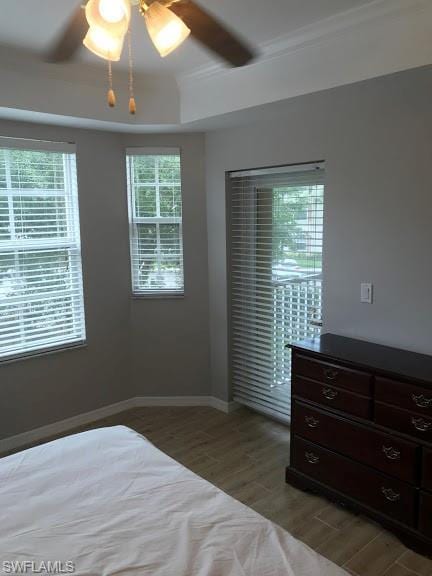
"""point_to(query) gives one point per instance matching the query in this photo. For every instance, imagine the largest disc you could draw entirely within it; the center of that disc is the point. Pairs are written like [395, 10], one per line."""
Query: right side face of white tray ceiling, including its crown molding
[380, 38]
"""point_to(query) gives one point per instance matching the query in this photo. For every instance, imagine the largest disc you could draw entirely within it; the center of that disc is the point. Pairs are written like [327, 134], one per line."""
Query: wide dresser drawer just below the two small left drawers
[390, 455]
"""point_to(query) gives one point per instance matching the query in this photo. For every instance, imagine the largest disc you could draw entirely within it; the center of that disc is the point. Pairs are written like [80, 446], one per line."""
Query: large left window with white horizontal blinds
[41, 296]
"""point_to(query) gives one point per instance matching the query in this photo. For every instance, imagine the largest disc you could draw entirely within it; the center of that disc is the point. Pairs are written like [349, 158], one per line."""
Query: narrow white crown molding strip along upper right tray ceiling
[314, 35]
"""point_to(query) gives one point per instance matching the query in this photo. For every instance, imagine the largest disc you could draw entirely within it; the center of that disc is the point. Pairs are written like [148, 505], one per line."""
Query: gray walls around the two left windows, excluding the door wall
[120, 359]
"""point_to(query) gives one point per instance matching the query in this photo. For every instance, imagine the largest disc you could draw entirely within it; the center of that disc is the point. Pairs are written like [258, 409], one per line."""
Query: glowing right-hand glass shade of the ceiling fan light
[167, 31]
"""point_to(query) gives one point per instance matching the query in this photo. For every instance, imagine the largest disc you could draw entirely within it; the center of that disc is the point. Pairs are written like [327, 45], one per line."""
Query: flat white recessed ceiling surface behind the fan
[33, 25]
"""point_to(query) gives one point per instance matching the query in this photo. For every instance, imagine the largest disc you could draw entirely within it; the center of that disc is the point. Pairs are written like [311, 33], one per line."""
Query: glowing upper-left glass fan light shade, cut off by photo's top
[113, 16]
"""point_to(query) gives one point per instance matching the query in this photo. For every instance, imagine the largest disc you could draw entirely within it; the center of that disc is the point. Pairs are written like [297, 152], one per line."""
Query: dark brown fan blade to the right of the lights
[212, 34]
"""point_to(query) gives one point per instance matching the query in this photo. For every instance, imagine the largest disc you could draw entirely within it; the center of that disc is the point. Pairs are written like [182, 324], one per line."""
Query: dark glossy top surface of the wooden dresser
[384, 359]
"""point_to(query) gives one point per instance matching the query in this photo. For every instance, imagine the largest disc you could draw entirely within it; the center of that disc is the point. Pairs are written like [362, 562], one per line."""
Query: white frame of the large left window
[70, 242]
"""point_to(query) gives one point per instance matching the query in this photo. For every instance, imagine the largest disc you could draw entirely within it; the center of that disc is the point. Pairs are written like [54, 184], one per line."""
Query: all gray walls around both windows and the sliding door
[376, 138]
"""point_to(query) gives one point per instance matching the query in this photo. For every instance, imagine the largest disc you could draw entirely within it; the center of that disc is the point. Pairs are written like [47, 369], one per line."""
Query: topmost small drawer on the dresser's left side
[332, 374]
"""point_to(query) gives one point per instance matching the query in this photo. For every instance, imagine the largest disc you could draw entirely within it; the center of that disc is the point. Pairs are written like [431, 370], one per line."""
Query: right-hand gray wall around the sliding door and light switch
[376, 138]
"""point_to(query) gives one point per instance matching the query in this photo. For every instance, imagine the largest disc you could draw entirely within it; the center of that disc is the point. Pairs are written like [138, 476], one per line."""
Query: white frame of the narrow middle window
[135, 221]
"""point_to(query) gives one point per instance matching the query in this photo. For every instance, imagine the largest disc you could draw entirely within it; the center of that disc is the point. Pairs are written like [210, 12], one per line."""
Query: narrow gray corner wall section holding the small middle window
[170, 337]
